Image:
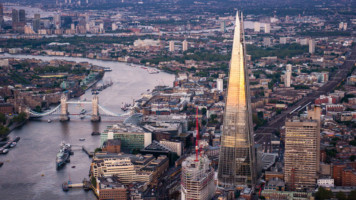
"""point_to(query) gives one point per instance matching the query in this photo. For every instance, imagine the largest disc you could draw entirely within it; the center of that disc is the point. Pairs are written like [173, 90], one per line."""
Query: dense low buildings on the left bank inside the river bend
[35, 84]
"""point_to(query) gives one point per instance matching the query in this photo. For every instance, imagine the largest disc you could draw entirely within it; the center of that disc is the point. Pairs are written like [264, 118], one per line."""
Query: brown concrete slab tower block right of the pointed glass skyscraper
[302, 152]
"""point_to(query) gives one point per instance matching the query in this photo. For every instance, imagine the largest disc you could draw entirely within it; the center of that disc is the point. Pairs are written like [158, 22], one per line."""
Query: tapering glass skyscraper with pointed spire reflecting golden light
[237, 158]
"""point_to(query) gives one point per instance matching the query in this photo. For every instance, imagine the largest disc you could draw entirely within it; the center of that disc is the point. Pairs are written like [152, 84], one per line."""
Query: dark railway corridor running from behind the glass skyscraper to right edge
[263, 134]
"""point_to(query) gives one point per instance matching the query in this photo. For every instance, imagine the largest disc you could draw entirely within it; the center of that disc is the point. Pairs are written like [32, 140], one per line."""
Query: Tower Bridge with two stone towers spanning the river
[64, 115]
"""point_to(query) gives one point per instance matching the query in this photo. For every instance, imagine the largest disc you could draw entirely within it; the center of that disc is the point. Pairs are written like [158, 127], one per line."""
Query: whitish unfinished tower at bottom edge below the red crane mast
[197, 179]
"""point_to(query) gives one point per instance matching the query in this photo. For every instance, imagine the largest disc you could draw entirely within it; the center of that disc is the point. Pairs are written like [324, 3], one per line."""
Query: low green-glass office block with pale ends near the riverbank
[132, 137]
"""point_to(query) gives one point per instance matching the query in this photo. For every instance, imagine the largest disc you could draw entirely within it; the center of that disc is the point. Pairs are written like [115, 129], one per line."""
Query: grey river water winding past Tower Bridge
[29, 170]
